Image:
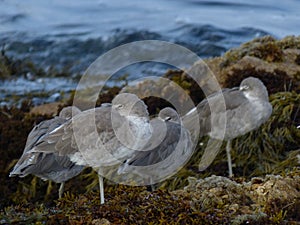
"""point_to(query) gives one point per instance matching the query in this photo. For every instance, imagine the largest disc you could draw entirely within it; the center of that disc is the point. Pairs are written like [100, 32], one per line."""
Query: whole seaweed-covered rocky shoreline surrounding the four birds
[266, 186]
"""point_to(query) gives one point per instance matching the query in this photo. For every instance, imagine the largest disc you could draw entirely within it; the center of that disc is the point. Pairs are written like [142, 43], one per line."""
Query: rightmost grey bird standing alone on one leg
[230, 113]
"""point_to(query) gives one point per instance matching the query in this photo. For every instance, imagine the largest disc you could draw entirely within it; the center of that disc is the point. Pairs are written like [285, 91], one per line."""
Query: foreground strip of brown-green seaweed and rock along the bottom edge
[213, 200]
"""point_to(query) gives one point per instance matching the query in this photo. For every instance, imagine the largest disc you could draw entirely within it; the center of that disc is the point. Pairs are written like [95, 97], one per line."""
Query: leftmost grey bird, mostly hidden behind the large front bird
[47, 166]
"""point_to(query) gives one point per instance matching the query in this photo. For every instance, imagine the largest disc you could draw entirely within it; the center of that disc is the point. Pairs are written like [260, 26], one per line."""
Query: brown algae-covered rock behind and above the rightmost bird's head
[275, 62]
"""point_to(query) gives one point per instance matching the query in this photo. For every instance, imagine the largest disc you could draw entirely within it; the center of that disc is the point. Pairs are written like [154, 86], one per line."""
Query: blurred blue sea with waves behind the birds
[67, 36]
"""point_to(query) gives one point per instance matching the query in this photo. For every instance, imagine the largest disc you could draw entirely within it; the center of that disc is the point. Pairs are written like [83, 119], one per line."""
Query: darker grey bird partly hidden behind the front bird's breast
[168, 149]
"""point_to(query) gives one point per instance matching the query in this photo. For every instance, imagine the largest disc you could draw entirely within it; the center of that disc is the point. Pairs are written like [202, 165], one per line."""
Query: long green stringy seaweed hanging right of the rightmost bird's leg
[263, 150]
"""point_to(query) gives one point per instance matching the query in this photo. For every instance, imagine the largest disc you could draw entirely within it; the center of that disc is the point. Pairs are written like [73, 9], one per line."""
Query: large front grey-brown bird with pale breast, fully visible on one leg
[103, 136]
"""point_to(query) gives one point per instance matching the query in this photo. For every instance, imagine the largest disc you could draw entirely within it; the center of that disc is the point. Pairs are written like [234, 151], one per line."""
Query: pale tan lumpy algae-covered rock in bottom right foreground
[268, 199]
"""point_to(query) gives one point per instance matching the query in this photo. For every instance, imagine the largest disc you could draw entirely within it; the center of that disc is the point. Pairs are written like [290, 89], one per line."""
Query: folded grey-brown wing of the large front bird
[64, 139]
